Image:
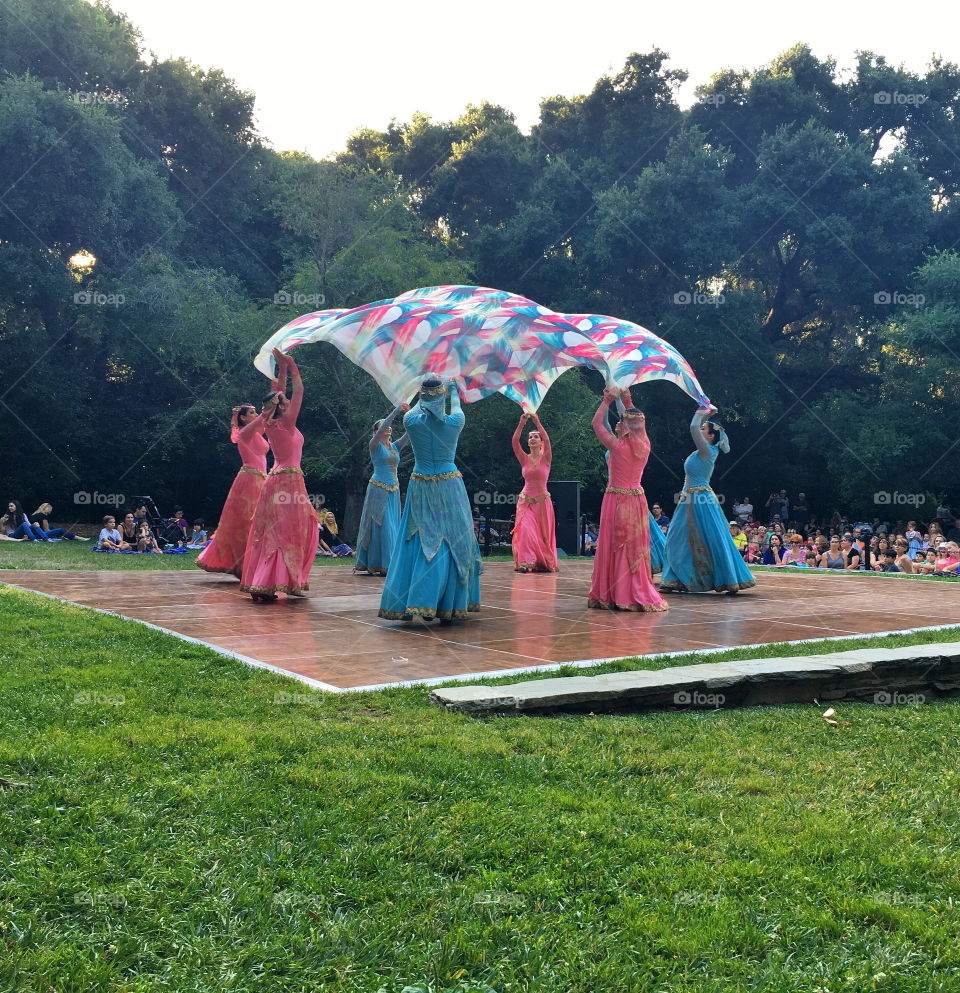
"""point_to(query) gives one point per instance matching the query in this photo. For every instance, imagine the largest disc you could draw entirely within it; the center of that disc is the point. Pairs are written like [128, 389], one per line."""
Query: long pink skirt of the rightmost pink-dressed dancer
[622, 579]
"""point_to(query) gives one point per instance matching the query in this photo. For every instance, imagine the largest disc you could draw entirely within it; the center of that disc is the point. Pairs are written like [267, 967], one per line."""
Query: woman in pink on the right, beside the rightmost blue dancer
[622, 579]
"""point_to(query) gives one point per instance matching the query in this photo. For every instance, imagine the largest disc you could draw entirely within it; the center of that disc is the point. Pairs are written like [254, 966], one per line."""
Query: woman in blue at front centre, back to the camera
[435, 568]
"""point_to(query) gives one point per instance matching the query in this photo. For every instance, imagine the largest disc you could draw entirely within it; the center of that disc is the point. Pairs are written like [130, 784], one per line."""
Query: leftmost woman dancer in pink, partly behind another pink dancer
[225, 552]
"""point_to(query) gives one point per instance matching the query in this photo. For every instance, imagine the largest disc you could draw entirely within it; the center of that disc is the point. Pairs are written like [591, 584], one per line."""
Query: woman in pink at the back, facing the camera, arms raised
[534, 534]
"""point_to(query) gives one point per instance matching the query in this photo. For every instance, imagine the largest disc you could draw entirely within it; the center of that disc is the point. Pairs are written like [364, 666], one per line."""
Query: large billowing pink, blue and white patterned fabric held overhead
[488, 340]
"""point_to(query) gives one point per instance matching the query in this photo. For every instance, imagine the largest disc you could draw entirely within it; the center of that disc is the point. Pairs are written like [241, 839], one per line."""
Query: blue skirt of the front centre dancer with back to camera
[435, 568]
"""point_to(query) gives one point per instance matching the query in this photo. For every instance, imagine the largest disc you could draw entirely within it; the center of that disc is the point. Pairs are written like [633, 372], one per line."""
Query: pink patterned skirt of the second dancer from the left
[283, 537]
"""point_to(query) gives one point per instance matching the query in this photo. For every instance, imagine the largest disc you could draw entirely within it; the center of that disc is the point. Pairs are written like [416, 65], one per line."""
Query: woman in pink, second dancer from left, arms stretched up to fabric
[283, 536]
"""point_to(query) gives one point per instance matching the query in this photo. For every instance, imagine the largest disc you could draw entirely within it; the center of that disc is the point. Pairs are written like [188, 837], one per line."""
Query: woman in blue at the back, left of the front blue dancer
[380, 517]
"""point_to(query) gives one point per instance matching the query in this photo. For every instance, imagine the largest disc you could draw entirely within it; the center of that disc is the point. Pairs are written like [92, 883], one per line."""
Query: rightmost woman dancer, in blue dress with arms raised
[700, 555]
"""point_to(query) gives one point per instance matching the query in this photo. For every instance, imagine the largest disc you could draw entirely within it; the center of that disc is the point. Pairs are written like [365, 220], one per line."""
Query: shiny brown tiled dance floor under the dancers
[334, 638]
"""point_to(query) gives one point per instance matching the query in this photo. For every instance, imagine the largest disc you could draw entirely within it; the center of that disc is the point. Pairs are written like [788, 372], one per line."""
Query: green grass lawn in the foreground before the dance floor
[188, 824]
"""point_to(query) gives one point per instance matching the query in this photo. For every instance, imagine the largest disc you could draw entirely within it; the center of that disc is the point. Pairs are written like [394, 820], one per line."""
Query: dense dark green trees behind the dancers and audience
[792, 233]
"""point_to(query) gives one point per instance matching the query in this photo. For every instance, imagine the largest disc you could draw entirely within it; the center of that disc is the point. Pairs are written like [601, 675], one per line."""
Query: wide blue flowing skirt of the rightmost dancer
[699, 554]
